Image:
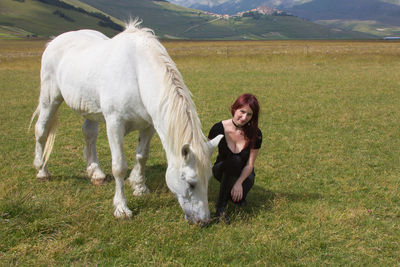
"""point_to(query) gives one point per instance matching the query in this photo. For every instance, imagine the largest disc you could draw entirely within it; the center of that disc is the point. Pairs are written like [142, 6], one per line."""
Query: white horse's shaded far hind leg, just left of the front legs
[90, 132]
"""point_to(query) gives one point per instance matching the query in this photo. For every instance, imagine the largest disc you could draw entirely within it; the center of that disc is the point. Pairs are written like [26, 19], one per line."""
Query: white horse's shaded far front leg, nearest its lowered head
[137, 178]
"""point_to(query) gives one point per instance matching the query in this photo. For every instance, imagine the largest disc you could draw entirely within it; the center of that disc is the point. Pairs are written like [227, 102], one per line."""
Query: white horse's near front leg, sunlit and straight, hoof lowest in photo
[115, 133]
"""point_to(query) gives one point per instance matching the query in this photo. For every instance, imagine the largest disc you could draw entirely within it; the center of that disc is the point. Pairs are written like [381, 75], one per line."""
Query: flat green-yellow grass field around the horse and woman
[327, 189]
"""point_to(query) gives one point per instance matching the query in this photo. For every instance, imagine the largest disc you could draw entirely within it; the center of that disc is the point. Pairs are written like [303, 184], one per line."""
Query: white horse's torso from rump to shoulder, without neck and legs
[96, 75]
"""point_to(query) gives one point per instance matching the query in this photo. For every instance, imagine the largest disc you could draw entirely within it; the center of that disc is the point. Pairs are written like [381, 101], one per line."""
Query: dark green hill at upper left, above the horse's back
[28, 18]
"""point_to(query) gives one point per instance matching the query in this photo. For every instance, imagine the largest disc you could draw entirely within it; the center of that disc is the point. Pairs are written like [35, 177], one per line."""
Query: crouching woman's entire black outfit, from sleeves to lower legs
[229, 166]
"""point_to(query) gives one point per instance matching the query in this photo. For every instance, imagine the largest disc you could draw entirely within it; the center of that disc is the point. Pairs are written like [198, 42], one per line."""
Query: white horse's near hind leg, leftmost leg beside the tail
[45, 124]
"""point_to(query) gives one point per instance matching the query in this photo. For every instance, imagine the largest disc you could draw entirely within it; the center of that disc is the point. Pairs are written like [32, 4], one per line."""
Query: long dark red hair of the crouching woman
[251, 128]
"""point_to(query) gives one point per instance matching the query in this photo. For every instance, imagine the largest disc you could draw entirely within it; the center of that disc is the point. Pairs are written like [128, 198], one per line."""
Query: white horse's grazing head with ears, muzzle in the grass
[190, 184]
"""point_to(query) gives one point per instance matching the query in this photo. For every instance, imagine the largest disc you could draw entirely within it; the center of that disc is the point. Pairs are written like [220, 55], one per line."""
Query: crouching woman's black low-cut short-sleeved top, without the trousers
[224, 151]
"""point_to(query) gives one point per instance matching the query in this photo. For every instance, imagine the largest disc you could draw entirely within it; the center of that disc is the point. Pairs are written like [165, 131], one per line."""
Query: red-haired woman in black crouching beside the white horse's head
[237, 152]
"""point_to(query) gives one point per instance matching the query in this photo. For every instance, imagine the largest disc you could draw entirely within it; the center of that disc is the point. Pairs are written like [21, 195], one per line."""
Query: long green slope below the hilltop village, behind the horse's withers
[171, 20]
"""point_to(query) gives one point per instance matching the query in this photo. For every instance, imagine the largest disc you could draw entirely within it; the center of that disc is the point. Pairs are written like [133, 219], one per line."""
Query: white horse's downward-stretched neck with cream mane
[159, 80]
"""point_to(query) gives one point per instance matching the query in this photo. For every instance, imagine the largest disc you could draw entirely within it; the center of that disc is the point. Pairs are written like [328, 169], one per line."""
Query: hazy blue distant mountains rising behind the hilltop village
[378, 17]
